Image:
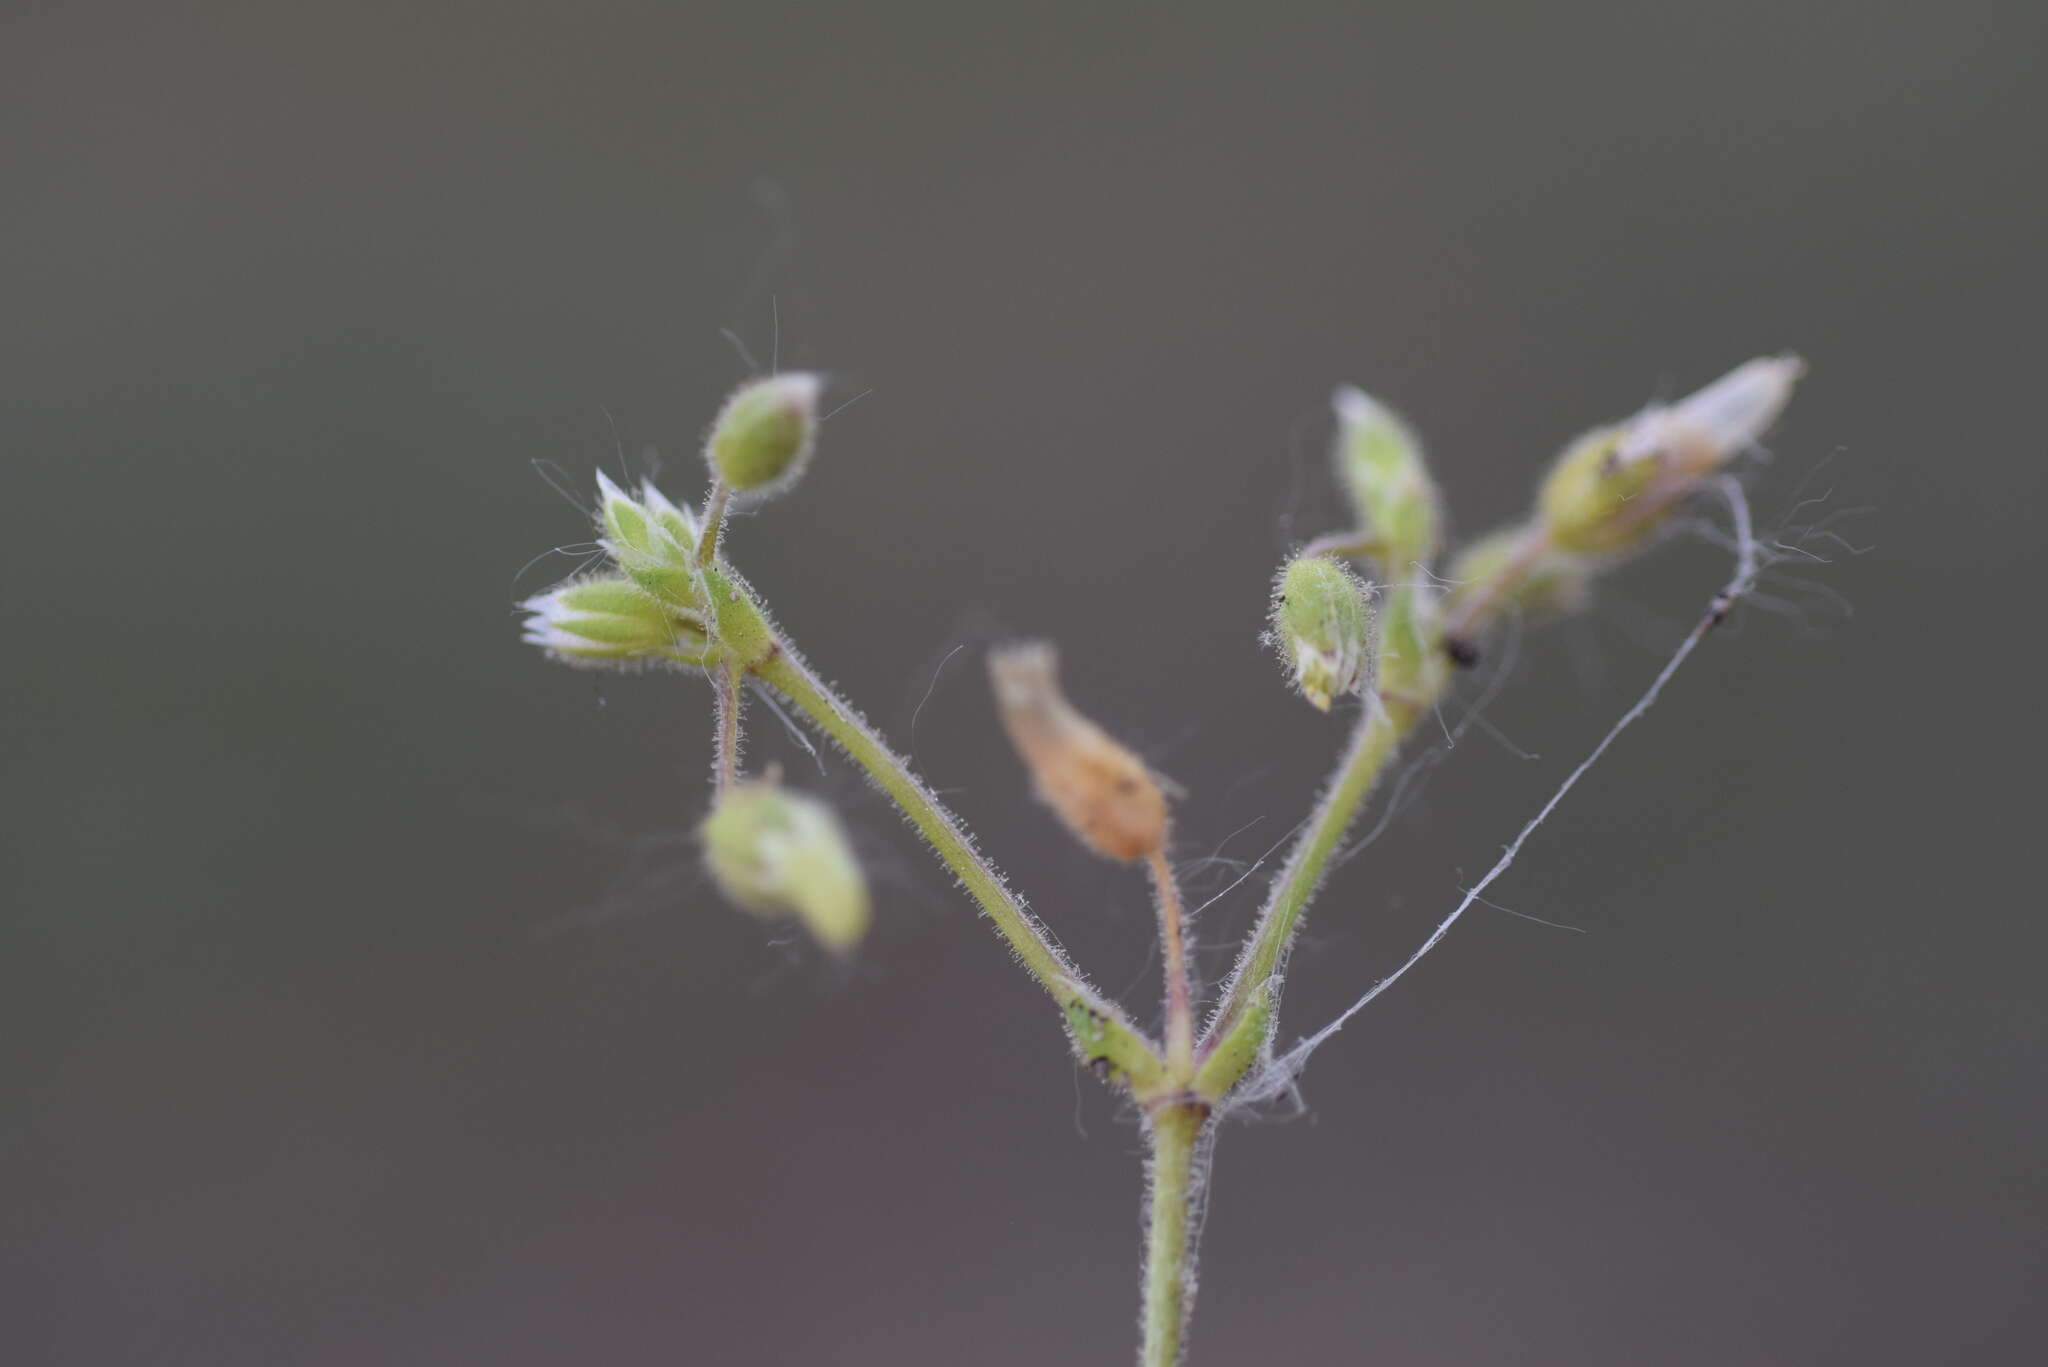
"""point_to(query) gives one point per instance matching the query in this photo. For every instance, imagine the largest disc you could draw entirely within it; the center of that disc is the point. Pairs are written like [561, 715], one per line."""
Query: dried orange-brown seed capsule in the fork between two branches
[1103, 792]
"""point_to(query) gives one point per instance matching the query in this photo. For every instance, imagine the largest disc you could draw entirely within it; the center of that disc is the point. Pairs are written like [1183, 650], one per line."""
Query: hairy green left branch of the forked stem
[1101, 1032]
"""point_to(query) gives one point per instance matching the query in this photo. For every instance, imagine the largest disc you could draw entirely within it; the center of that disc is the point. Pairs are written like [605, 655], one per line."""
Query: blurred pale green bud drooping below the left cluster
[781, 854]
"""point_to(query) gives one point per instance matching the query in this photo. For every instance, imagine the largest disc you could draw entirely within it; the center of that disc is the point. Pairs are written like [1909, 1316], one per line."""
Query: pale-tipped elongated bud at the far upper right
[1617, 485]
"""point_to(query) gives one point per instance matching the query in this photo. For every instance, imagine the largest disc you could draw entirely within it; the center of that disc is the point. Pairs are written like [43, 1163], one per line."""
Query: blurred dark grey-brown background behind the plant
[359, 993]
